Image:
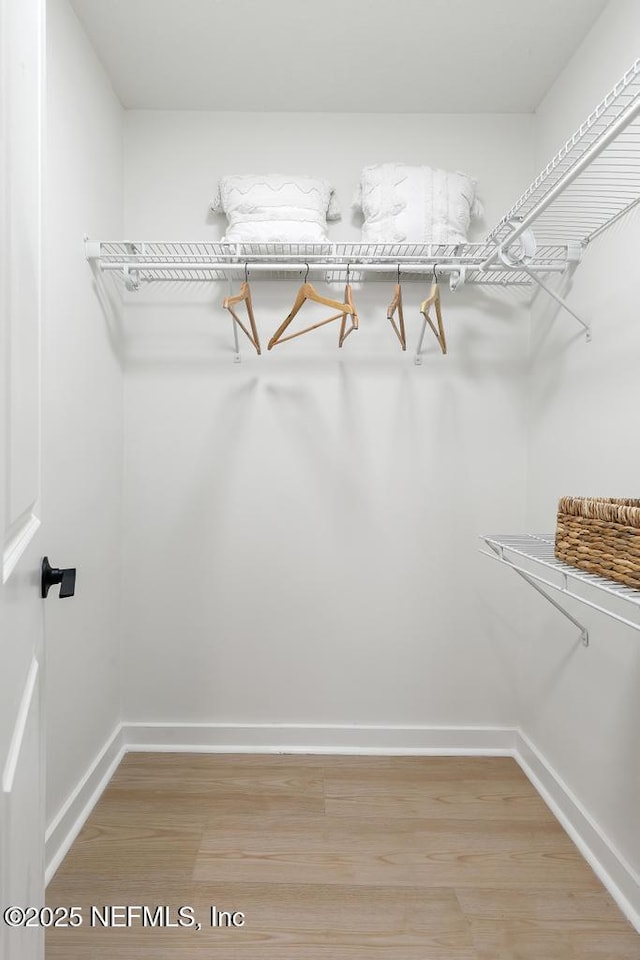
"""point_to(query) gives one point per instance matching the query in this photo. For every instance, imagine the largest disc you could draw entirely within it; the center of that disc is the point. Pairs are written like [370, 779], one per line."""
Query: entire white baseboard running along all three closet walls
[615, 873]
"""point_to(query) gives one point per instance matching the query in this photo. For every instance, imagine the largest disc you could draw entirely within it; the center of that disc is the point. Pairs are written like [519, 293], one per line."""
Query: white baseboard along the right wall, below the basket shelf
[620, 879]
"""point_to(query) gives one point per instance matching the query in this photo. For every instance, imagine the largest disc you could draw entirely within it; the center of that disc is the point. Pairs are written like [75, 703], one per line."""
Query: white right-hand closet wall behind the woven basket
[582, 707]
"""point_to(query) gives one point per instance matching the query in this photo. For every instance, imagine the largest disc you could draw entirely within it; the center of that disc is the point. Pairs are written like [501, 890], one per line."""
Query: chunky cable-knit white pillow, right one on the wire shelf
[410, 204]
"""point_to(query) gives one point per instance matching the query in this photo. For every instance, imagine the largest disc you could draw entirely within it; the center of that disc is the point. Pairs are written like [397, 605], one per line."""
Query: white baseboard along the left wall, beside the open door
[70, 819]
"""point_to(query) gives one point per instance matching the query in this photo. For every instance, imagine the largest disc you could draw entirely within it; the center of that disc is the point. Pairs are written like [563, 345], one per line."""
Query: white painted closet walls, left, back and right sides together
[301, 529]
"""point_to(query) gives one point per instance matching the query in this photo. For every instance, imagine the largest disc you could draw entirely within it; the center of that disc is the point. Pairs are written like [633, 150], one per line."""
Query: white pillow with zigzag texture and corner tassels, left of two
[274, 208]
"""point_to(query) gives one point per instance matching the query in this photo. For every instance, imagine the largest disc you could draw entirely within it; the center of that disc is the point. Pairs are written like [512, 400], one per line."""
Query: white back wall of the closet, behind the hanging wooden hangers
[301, 529]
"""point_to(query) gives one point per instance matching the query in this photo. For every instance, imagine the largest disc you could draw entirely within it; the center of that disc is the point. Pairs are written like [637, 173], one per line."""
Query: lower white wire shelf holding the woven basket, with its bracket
[544, 570]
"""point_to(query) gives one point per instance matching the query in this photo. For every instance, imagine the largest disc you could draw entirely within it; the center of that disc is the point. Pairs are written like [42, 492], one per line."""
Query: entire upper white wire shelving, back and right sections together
[590, 183]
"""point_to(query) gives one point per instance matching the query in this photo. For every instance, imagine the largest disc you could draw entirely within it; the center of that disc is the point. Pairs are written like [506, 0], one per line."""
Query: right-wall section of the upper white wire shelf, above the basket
[591, 182]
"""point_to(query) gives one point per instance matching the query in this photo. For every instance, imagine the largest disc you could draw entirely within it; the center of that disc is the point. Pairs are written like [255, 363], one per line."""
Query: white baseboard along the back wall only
[319, 738]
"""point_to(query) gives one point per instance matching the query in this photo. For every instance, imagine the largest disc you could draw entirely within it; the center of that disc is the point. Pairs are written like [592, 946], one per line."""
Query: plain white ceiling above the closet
[407, 56]
